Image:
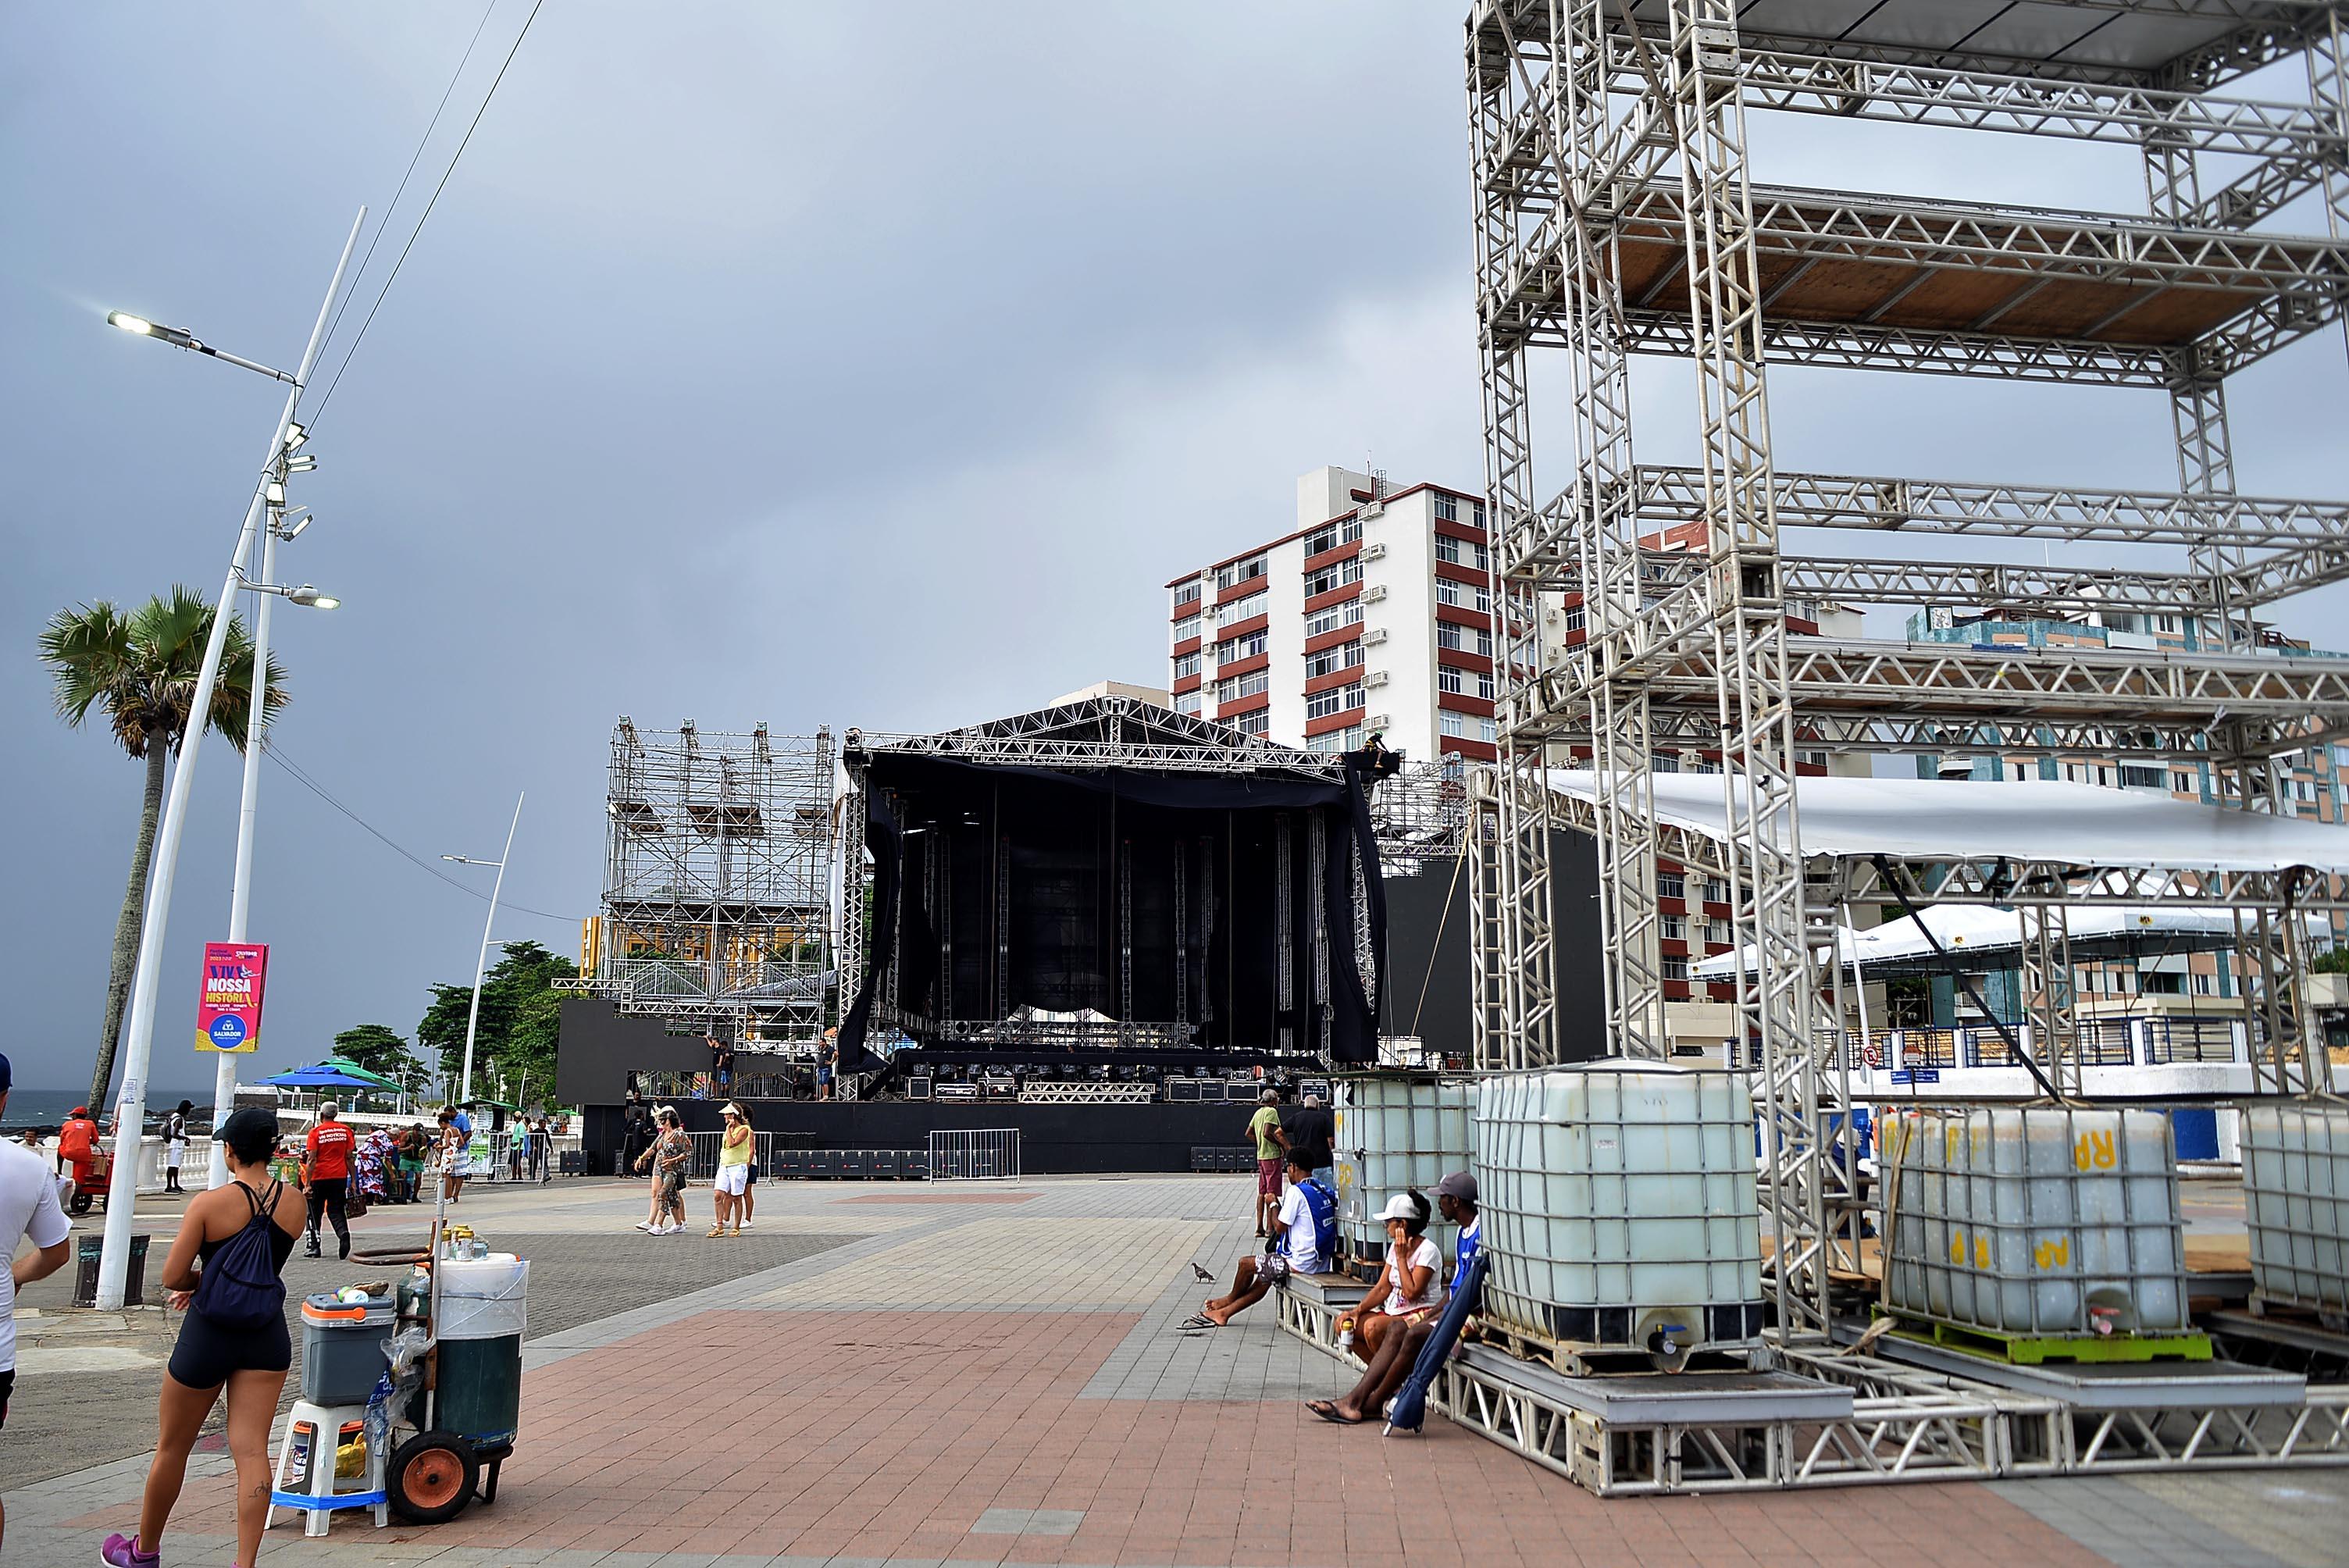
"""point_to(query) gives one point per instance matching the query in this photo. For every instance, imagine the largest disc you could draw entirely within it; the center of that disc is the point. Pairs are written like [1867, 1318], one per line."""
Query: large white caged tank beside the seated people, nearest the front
[1622, 1208]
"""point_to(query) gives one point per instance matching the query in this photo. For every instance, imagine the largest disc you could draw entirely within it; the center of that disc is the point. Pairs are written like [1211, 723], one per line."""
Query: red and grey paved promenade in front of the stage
[992, 1374]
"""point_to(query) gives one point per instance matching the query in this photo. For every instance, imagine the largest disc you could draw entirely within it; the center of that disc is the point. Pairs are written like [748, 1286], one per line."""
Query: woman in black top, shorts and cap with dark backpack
[250, 1365]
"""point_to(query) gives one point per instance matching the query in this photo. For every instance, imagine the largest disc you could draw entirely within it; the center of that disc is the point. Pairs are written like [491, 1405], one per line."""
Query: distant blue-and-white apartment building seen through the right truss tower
[2313, 783]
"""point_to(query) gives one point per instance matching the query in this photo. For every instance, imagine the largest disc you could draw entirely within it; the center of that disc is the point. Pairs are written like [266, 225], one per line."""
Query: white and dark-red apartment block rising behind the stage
[1371, 619]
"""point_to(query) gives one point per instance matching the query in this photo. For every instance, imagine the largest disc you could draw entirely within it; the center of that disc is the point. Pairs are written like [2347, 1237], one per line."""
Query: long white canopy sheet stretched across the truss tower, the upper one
[2021, 820]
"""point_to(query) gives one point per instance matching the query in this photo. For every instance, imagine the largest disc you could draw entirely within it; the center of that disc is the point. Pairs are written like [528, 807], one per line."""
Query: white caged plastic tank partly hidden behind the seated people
[1394, 1135]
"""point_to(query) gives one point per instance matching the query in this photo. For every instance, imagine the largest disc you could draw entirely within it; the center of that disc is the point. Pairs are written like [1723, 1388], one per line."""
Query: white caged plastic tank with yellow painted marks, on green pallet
[2033, 1224]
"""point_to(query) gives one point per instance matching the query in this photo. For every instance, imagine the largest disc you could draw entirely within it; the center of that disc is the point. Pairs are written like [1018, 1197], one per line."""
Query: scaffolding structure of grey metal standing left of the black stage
[718, 884]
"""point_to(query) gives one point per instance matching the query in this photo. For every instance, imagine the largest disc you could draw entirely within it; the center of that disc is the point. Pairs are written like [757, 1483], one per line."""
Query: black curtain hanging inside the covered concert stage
[1065, 839]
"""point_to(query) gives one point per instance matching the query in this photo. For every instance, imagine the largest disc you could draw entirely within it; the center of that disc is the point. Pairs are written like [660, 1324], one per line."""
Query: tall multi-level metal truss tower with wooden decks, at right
[1615, 217]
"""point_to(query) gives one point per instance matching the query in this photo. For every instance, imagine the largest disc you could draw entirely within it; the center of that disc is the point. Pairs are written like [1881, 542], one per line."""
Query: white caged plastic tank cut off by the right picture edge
[2296, 1196]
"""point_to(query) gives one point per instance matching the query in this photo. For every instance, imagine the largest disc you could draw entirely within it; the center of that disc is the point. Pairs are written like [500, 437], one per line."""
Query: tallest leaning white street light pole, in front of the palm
[130, 1111]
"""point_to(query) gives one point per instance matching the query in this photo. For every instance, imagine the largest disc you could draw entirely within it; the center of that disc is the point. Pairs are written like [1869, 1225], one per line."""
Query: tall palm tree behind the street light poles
[140, 670]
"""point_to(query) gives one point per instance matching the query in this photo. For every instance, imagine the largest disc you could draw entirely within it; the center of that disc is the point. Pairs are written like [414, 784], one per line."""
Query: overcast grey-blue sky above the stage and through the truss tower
[762, 365]
